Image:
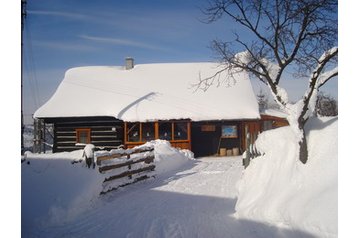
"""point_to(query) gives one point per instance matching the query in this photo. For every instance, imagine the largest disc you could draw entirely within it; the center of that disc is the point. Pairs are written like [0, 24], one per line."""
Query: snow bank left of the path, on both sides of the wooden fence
[54, 190]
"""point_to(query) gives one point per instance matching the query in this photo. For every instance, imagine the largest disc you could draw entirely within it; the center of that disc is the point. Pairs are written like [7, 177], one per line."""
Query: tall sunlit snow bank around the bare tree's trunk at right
[278, 189]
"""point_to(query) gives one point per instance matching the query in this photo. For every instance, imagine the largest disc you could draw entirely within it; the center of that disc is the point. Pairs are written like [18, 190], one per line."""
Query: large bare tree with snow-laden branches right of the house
[300, 34]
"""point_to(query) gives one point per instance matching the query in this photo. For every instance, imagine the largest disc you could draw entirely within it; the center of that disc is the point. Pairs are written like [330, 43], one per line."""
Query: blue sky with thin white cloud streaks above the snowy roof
[61, 34]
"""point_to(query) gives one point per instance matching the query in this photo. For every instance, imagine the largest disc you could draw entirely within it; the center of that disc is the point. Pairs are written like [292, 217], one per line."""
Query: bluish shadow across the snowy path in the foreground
[145, 210]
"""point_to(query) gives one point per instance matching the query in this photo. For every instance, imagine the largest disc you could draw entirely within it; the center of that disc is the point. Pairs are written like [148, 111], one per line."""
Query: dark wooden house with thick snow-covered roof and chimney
[110, 106]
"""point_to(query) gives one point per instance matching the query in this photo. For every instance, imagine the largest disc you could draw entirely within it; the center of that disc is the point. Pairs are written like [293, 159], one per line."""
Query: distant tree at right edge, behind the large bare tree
[326, 105]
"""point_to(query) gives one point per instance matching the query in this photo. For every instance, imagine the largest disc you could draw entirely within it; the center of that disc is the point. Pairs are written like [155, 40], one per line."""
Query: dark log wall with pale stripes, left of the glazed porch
[106, 132]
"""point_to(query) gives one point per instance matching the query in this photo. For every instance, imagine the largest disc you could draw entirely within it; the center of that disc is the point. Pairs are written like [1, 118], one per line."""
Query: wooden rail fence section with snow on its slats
[123, 167]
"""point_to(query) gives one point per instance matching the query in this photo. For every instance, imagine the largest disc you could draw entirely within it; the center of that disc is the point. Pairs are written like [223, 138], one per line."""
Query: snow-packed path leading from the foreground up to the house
[198, 200]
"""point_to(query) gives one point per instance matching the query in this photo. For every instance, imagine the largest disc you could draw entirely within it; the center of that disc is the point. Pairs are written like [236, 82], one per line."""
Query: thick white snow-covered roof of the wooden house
[150, 92]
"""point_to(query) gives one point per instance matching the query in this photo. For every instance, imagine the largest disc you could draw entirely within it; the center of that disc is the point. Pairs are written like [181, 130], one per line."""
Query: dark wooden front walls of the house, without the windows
[204, 138]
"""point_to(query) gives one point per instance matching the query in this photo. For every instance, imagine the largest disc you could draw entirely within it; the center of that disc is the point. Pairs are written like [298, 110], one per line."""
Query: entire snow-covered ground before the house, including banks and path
[205, 197]
